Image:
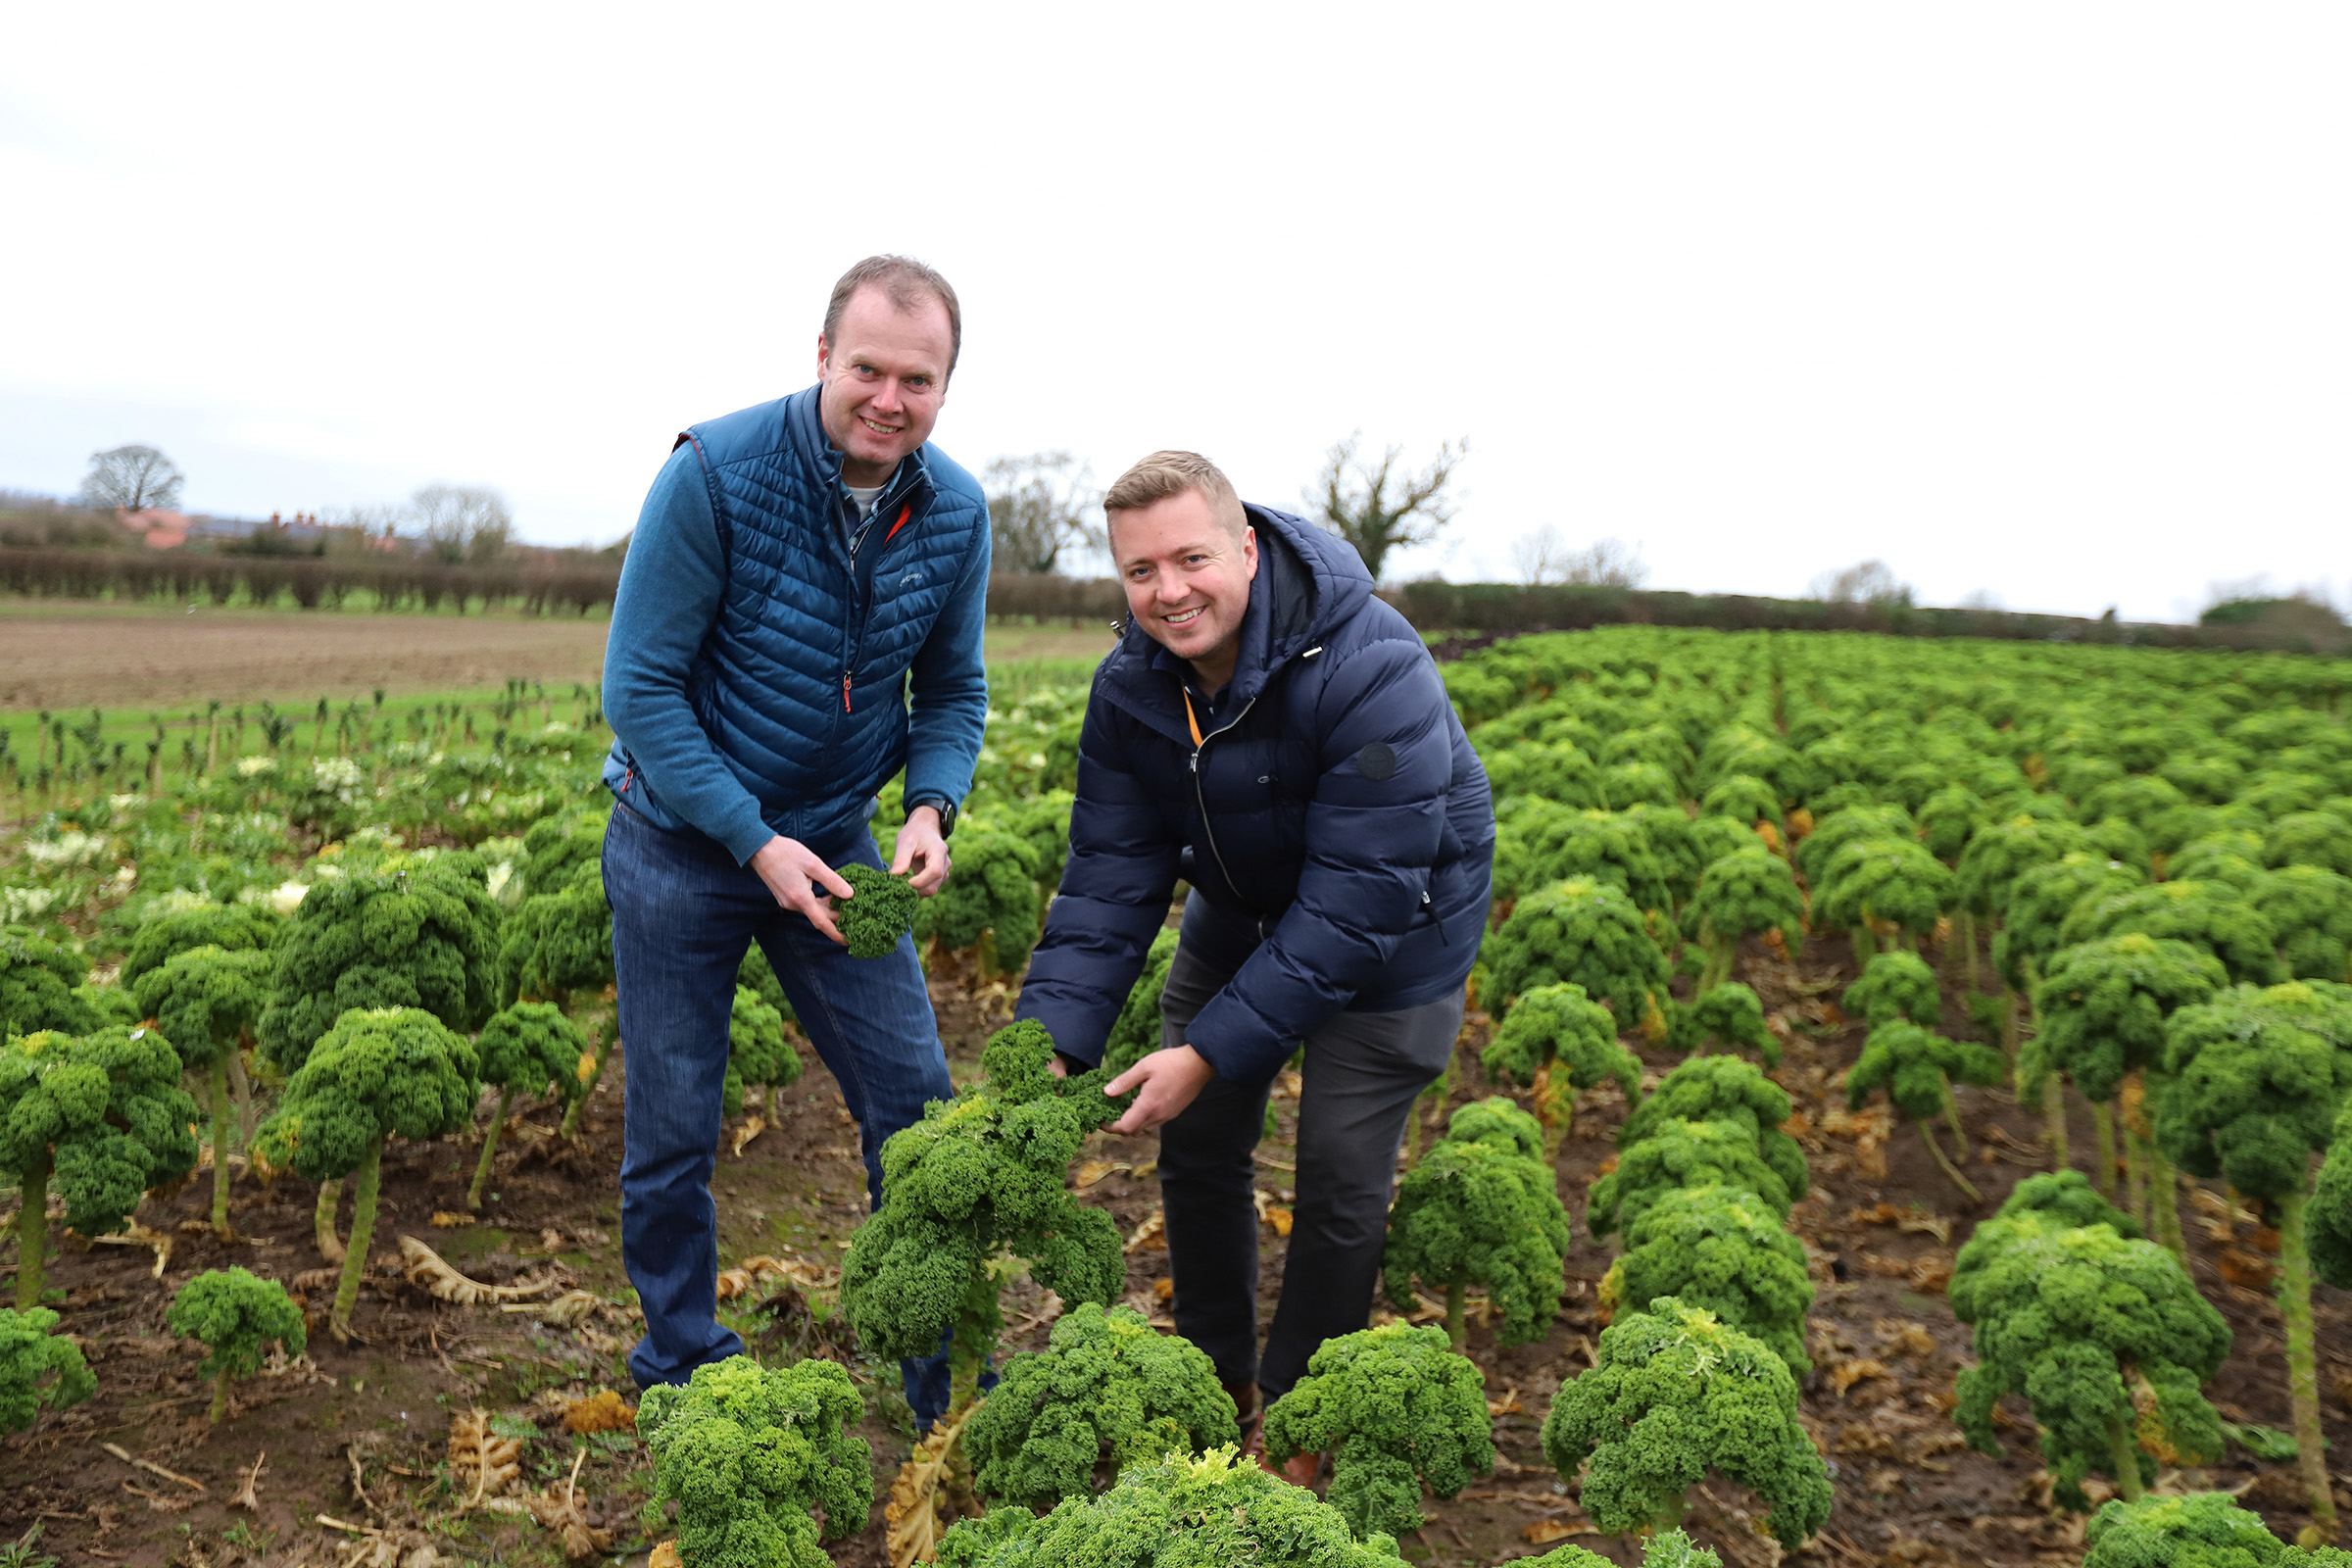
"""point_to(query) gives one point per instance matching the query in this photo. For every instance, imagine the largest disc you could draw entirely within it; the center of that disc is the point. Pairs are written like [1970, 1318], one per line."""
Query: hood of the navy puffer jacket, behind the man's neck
[1309, 584]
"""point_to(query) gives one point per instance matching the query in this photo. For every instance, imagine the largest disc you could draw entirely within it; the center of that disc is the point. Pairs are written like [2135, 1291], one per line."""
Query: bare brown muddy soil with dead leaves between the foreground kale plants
[359, 1435]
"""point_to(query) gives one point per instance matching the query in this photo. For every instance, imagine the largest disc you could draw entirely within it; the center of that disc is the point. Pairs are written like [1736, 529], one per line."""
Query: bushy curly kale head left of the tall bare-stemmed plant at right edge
[2076, 1322]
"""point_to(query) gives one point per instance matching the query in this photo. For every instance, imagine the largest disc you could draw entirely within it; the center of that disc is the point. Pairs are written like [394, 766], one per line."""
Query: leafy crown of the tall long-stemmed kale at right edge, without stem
[2257, 1083]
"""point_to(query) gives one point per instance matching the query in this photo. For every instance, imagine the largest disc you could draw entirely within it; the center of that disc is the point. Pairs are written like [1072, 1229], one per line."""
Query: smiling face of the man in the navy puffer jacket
[1187, 579]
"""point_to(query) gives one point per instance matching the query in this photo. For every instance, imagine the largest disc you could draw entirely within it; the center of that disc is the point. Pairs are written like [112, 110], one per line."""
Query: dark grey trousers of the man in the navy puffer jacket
[1361, 1080]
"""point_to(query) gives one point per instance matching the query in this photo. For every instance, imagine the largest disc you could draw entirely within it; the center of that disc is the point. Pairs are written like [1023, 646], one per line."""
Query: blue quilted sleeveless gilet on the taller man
[803, 681]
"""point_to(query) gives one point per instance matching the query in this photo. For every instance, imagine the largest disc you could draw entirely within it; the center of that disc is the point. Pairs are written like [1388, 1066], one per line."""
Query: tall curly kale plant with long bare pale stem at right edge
[2259, 1078]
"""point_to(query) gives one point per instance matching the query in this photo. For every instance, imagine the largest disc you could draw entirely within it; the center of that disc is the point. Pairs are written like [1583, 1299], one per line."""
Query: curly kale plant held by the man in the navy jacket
[982, 1174]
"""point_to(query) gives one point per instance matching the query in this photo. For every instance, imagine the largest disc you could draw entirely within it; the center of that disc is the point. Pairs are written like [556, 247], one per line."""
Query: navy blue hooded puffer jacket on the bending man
[1335, 817]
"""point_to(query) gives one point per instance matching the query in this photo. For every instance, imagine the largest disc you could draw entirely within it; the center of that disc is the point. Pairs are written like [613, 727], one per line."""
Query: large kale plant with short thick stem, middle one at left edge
[105, 1118]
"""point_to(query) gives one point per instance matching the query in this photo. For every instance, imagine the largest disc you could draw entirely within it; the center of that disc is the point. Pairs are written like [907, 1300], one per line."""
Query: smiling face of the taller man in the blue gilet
[886, 377]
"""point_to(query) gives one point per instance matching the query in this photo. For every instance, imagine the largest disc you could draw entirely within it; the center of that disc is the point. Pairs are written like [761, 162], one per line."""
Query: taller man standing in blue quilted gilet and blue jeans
[799, 619]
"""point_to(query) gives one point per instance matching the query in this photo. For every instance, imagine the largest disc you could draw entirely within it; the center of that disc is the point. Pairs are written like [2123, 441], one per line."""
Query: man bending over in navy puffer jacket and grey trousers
[1276, 737]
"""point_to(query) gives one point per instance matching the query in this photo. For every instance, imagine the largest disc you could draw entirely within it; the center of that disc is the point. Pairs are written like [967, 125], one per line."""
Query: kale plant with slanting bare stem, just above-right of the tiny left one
[375, 1076]
